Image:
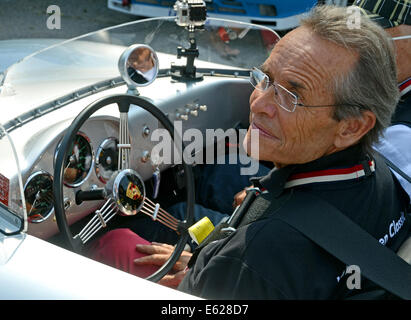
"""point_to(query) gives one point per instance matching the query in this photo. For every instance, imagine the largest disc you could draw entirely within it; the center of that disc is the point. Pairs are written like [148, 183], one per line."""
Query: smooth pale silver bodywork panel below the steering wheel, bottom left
[33, 269]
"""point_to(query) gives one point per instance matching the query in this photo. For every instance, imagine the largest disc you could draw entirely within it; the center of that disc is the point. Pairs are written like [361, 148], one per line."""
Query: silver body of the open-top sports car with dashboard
[44, 91]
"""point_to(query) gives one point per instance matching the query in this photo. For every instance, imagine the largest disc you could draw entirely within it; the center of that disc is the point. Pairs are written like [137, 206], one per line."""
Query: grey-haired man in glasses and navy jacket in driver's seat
[321, 100]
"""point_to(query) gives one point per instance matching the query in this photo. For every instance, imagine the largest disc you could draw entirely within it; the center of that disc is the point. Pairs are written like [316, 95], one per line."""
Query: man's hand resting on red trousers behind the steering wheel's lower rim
[158, 254]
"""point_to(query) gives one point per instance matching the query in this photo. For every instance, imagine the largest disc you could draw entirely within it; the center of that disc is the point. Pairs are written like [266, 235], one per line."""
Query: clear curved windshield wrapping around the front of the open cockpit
[84, 61]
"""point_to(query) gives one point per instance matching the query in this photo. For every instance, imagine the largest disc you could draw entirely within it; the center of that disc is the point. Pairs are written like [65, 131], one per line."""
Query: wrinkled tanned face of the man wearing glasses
[304, 64]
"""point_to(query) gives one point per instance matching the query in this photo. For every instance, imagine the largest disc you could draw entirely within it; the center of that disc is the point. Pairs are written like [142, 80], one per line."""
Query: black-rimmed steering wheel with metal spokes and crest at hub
[119, 201]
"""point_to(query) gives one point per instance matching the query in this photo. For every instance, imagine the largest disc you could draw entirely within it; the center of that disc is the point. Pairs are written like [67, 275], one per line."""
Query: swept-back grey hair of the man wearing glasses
[372, 82]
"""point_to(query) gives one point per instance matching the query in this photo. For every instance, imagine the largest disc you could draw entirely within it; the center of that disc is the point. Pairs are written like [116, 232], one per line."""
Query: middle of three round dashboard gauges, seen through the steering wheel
[78, 162]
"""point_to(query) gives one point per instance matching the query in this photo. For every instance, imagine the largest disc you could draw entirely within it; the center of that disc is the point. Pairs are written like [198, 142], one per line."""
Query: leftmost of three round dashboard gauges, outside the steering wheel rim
[38, 192]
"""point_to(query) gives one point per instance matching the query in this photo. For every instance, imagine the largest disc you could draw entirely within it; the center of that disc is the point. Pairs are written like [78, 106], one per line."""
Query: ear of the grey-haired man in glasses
[351, 130]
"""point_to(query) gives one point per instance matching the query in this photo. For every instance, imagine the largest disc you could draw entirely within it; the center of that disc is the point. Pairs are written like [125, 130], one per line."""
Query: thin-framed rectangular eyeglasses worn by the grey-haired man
[282, 96]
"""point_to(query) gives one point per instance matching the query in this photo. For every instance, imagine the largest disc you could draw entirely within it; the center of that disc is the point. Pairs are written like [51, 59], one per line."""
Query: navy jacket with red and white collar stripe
[267, 259]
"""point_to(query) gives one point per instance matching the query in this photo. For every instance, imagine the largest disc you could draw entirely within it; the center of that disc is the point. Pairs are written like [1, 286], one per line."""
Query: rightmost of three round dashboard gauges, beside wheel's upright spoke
[107, 159]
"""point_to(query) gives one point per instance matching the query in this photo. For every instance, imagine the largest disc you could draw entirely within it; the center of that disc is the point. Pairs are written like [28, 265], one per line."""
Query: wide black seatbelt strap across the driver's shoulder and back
[326, 226]
